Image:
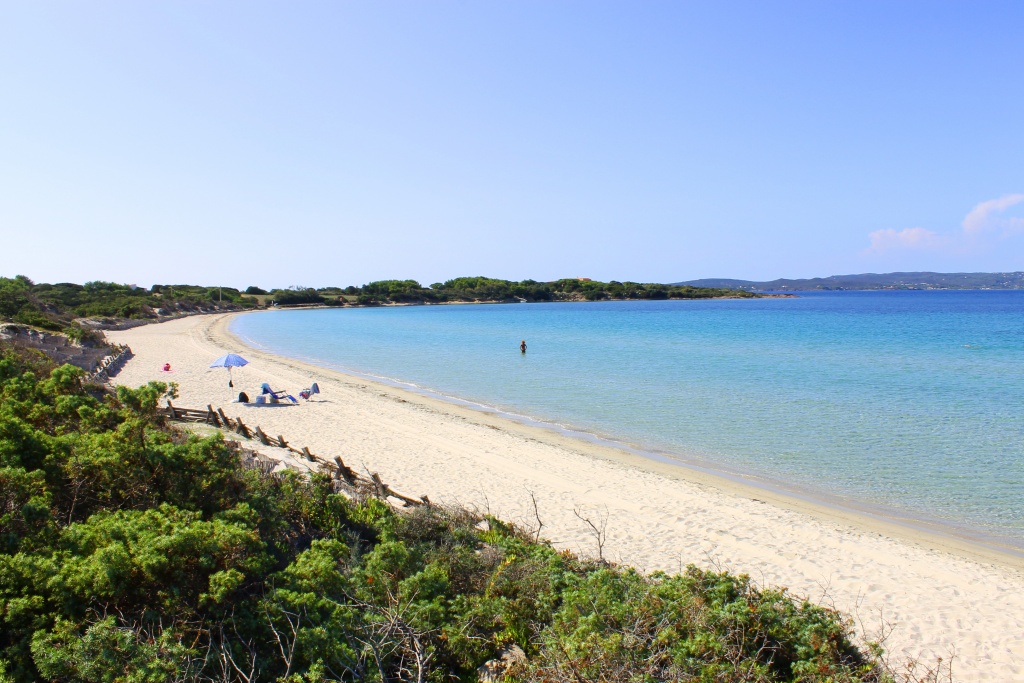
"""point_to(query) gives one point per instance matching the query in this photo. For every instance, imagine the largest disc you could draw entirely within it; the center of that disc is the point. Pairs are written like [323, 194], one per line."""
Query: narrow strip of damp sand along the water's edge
[930, 534]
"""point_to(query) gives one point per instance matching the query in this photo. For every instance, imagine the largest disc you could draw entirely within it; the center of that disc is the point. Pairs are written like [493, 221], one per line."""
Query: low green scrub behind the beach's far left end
[56, 307]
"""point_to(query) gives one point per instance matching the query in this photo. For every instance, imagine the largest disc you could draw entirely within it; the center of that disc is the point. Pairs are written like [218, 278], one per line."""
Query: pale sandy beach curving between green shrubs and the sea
[941, 596]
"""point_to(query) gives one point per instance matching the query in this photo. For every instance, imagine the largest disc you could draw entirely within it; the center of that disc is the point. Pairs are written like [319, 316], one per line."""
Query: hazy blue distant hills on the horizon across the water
[872, 281]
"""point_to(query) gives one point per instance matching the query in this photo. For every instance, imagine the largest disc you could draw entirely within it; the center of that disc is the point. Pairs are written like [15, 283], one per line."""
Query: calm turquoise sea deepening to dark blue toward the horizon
[907, 404]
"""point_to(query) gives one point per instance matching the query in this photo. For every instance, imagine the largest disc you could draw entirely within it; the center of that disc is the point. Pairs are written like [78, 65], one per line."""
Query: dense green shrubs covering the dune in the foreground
[131, 551]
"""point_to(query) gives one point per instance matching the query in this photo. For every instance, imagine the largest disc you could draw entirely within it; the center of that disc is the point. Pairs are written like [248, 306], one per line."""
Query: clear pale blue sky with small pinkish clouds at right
[316, 144]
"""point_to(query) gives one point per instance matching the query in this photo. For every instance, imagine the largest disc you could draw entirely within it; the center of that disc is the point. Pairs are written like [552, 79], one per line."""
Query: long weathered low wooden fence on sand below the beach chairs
[335, 467]
